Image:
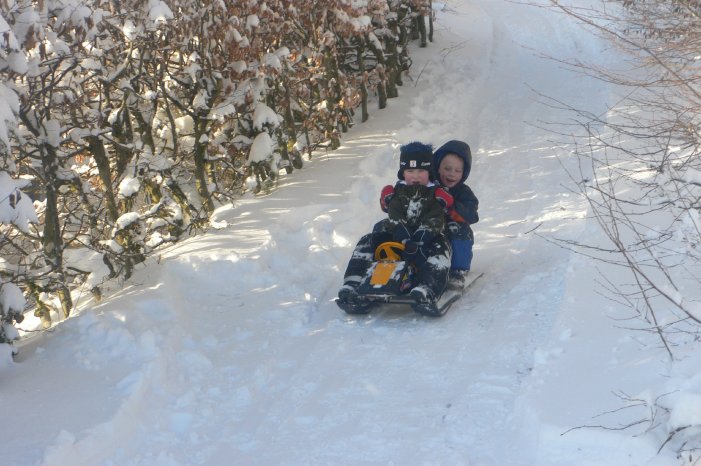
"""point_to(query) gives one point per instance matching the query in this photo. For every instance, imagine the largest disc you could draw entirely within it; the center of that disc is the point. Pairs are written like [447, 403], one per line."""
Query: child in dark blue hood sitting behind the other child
[452, 162]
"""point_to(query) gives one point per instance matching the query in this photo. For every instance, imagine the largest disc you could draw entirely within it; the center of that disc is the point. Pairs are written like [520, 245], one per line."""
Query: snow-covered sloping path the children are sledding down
[228, 348]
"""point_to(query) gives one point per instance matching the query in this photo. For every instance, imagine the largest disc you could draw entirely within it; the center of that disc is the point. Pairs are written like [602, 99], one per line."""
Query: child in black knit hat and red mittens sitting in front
[416, 218]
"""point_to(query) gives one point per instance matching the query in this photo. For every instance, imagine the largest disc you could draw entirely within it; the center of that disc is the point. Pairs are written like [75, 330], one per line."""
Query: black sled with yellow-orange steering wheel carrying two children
[389, 281]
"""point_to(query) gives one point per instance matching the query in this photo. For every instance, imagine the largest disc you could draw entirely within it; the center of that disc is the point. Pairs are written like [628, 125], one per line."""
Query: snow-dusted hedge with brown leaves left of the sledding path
[123, 125]
